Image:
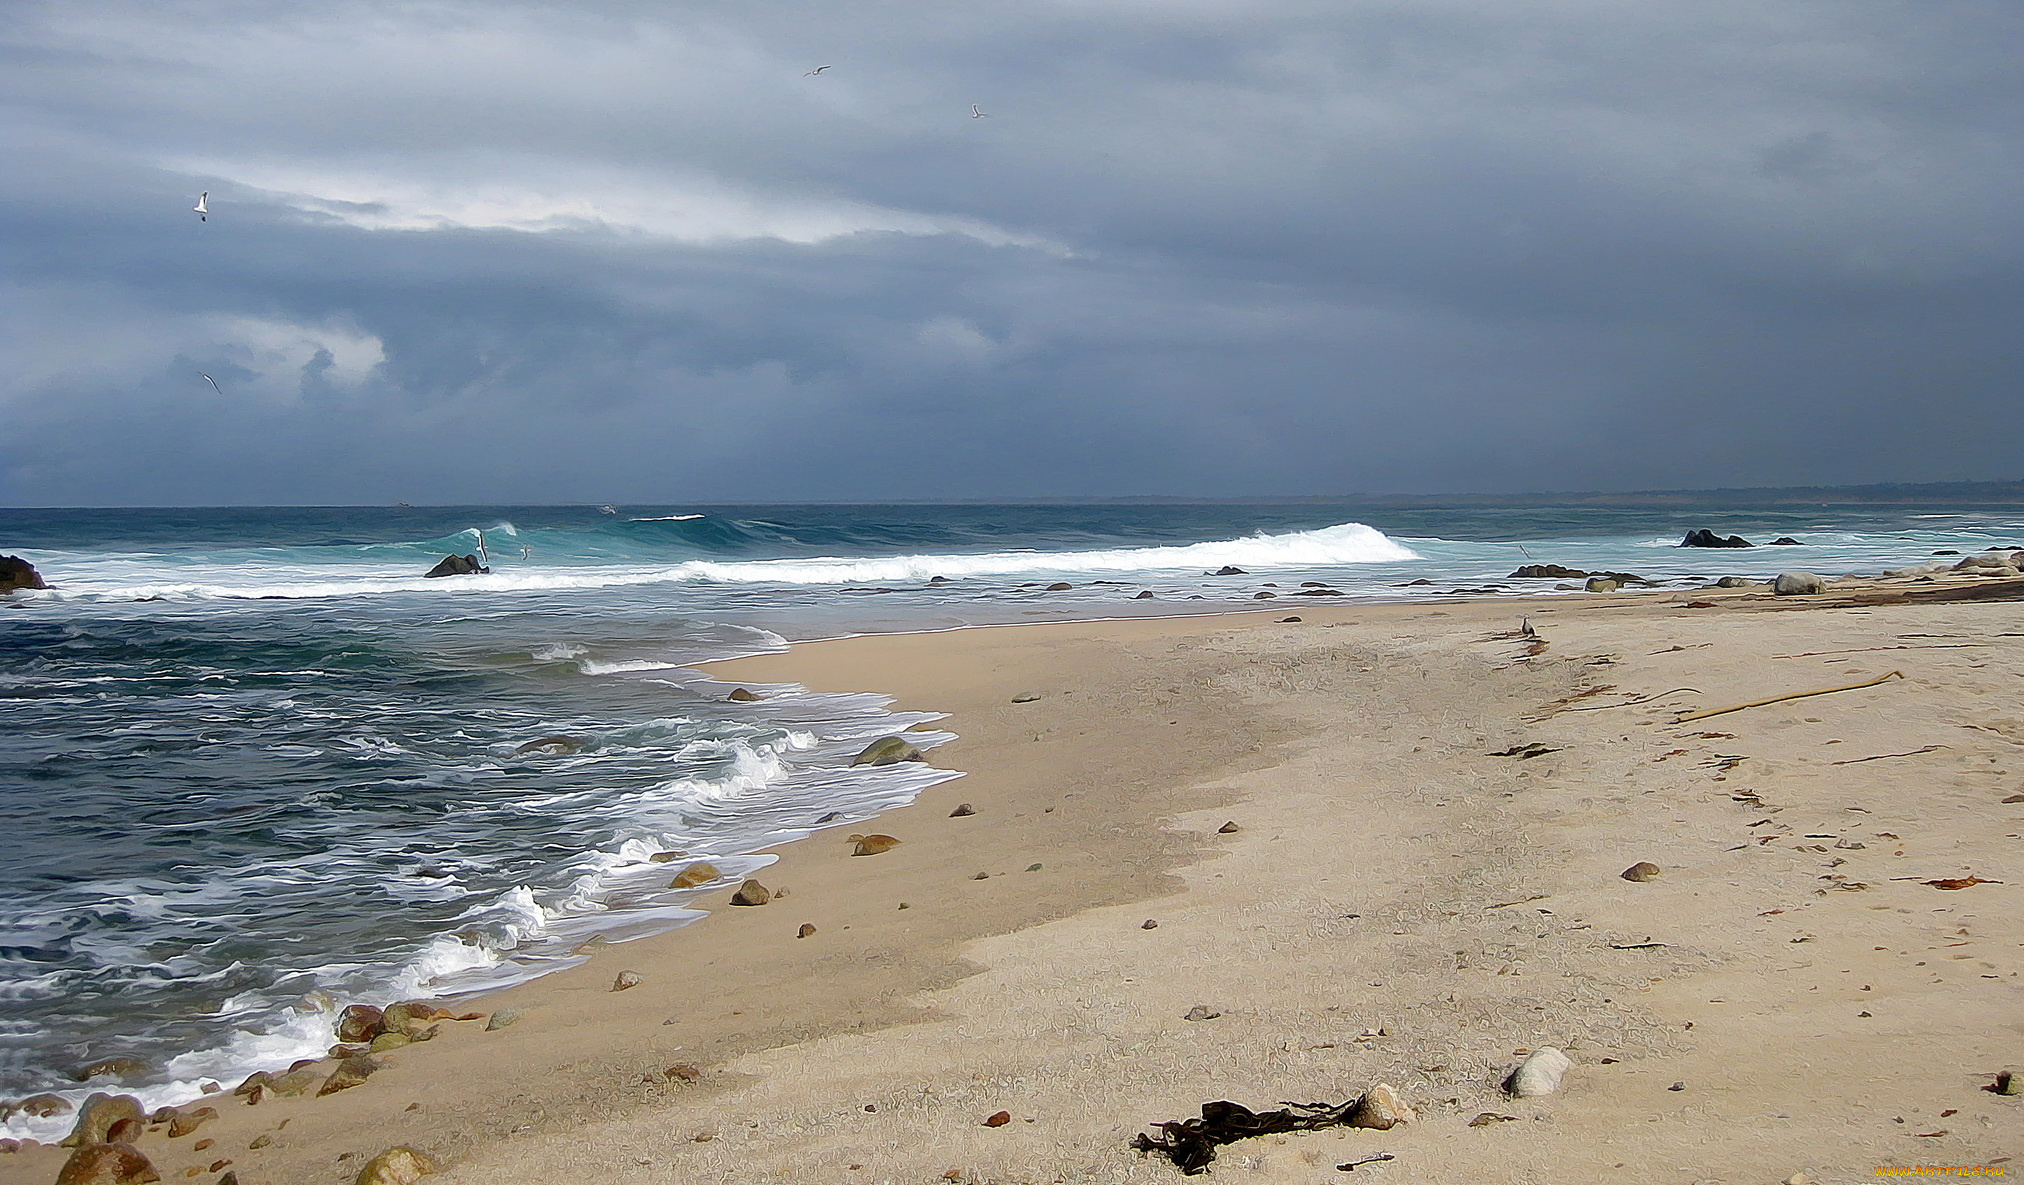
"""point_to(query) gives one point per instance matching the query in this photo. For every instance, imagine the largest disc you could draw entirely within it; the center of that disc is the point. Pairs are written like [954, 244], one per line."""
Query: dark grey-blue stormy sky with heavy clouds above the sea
[497, 252]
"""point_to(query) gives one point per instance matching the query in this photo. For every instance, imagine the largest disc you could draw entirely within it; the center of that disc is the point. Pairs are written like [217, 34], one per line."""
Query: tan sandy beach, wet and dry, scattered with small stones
[1400, 904]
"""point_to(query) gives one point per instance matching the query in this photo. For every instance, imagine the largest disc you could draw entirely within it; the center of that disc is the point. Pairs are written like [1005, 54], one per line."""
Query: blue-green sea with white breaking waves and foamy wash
[254, 763]
